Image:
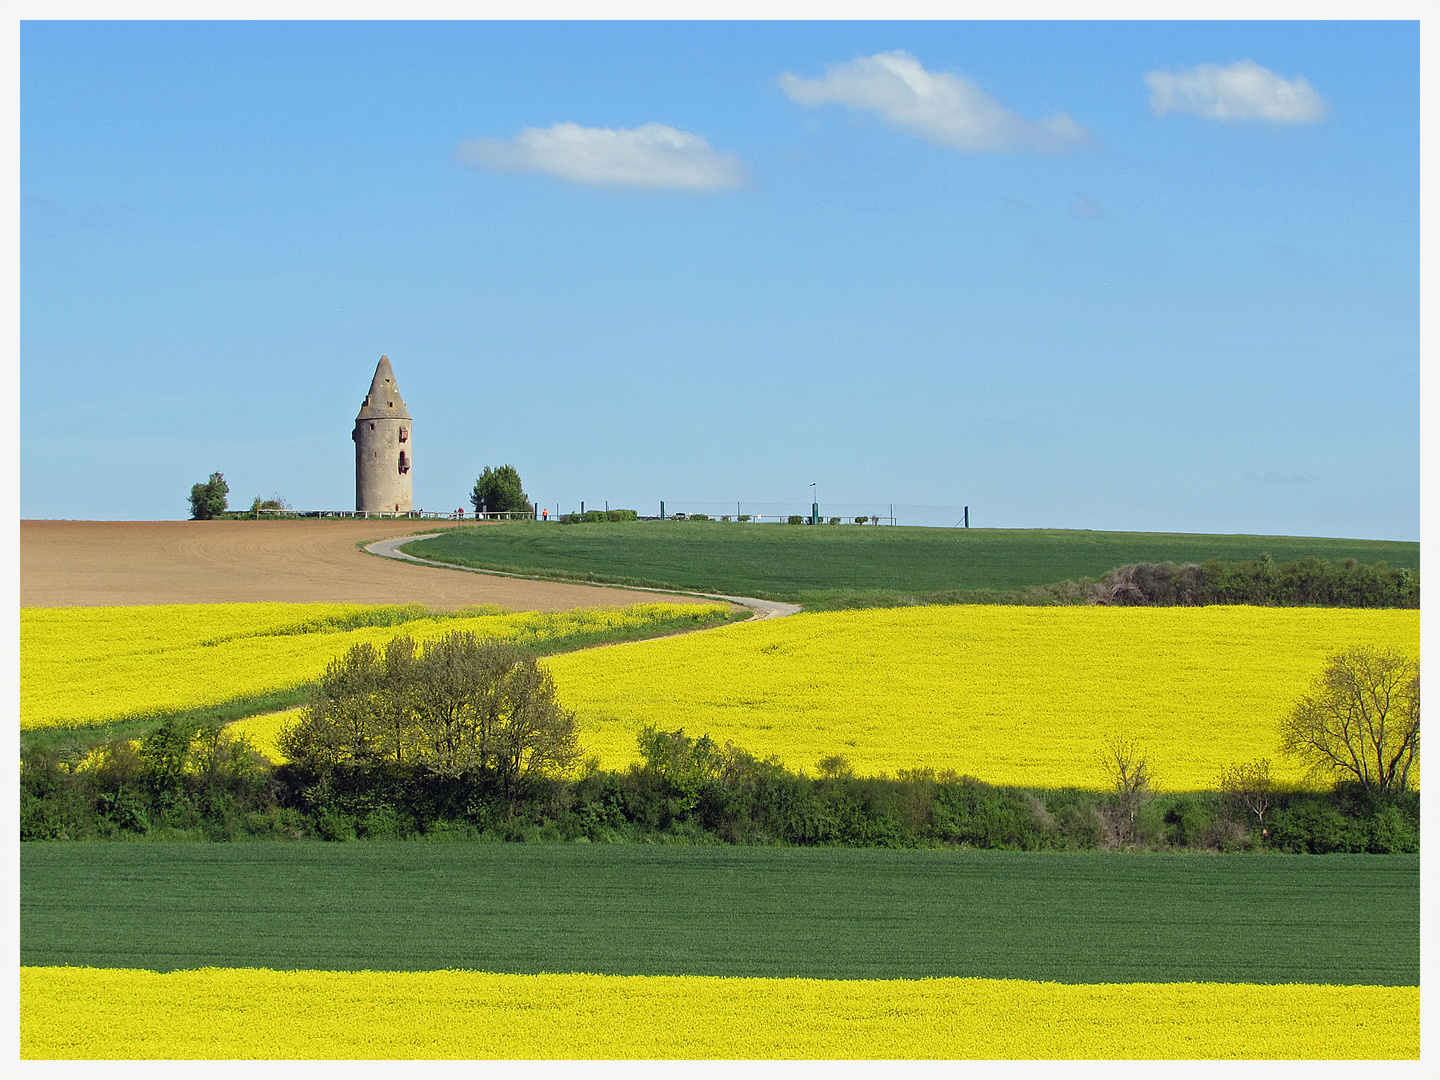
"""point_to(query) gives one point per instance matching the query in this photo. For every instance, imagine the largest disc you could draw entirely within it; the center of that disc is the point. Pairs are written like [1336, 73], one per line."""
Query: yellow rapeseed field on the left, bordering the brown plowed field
[84, 666]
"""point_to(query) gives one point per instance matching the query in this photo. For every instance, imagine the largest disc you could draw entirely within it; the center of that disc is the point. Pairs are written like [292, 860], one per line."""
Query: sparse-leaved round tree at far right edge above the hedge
[1360, 721]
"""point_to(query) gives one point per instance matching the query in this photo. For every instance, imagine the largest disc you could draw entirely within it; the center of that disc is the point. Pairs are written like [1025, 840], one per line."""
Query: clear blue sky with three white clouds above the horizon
[1091, 276]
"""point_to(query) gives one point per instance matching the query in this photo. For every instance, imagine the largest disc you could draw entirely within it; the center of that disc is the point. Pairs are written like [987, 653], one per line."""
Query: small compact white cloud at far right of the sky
[1242, 91]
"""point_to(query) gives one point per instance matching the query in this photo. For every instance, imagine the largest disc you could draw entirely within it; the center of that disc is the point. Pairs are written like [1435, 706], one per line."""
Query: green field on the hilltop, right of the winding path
[786, 562]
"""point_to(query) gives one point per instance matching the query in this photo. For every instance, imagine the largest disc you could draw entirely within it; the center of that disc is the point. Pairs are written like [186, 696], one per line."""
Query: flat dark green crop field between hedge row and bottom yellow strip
[731, 912]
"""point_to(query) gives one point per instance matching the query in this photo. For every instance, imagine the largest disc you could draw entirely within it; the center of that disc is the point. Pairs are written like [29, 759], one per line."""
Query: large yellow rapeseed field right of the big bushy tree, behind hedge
[1009, 695]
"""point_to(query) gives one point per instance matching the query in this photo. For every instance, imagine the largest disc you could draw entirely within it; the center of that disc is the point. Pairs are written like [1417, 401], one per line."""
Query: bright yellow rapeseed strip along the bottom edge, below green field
[91, 1013]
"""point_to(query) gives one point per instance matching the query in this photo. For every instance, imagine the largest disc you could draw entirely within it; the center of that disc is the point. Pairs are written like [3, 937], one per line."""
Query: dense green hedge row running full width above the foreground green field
[191, 781]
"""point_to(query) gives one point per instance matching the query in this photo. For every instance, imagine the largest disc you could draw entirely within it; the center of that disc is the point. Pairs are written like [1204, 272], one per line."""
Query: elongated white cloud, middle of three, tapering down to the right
[944, 109]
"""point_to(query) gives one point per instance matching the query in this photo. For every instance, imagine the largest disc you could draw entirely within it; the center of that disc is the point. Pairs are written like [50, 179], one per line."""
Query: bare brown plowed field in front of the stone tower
[91, 564]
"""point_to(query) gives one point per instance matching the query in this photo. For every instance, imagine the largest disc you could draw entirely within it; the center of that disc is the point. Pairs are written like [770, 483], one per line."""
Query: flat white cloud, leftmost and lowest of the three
[652, 156]
